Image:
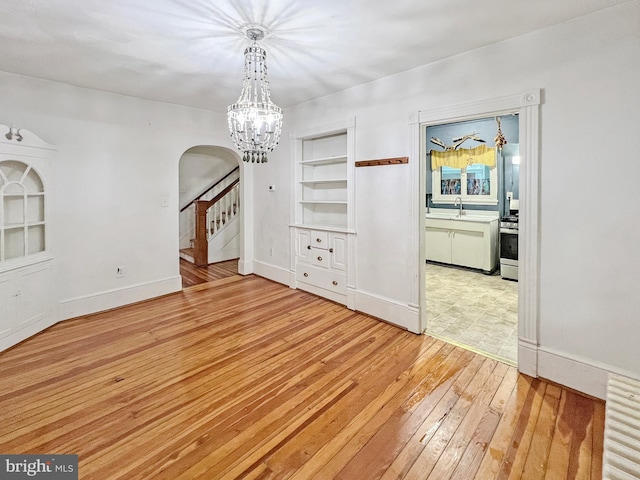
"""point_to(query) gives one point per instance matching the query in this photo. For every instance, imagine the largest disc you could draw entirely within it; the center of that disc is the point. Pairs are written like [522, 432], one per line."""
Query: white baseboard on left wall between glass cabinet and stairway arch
[98, 302]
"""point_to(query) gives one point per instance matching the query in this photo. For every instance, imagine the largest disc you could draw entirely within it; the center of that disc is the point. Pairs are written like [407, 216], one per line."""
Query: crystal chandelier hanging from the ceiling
[255, 122]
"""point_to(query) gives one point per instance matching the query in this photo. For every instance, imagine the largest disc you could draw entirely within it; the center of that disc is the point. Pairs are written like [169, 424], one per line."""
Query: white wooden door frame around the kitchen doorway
[527, 105]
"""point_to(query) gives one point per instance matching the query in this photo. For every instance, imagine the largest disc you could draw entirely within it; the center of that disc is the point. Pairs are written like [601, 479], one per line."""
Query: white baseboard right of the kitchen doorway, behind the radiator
[577, 373]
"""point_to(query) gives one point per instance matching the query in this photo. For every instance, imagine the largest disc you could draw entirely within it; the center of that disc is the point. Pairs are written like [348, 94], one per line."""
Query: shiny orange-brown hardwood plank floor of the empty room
[243, 378]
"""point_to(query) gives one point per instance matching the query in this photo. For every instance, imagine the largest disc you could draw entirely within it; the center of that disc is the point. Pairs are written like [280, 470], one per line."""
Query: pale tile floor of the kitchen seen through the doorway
[473, 310]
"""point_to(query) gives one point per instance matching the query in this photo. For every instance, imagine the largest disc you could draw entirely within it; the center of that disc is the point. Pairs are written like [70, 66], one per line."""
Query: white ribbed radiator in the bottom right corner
[621, 458]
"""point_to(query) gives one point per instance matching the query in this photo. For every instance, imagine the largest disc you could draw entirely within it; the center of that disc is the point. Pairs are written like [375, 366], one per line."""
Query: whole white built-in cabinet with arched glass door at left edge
[26, 302]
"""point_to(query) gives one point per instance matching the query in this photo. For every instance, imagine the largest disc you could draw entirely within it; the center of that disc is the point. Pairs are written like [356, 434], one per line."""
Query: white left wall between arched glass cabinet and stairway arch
[117, 157]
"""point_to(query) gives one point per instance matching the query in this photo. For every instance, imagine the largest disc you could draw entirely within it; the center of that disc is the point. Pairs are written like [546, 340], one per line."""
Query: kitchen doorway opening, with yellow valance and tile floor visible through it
[471, 177]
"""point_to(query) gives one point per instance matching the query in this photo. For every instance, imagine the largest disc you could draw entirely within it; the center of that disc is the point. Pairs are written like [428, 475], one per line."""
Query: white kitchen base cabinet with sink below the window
[469, 242]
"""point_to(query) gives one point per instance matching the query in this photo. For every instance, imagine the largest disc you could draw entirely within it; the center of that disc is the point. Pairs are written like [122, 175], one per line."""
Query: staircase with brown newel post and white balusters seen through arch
[214, 235]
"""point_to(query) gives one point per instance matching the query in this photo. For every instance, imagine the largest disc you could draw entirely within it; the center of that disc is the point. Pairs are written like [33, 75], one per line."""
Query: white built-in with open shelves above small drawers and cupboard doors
[322, 228]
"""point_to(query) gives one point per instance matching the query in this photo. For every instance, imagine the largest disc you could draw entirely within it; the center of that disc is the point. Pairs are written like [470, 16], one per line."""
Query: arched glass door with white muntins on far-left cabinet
[22, 218]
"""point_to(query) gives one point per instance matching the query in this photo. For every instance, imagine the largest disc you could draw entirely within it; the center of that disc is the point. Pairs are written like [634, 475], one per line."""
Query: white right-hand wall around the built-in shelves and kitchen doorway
[589, 72]
